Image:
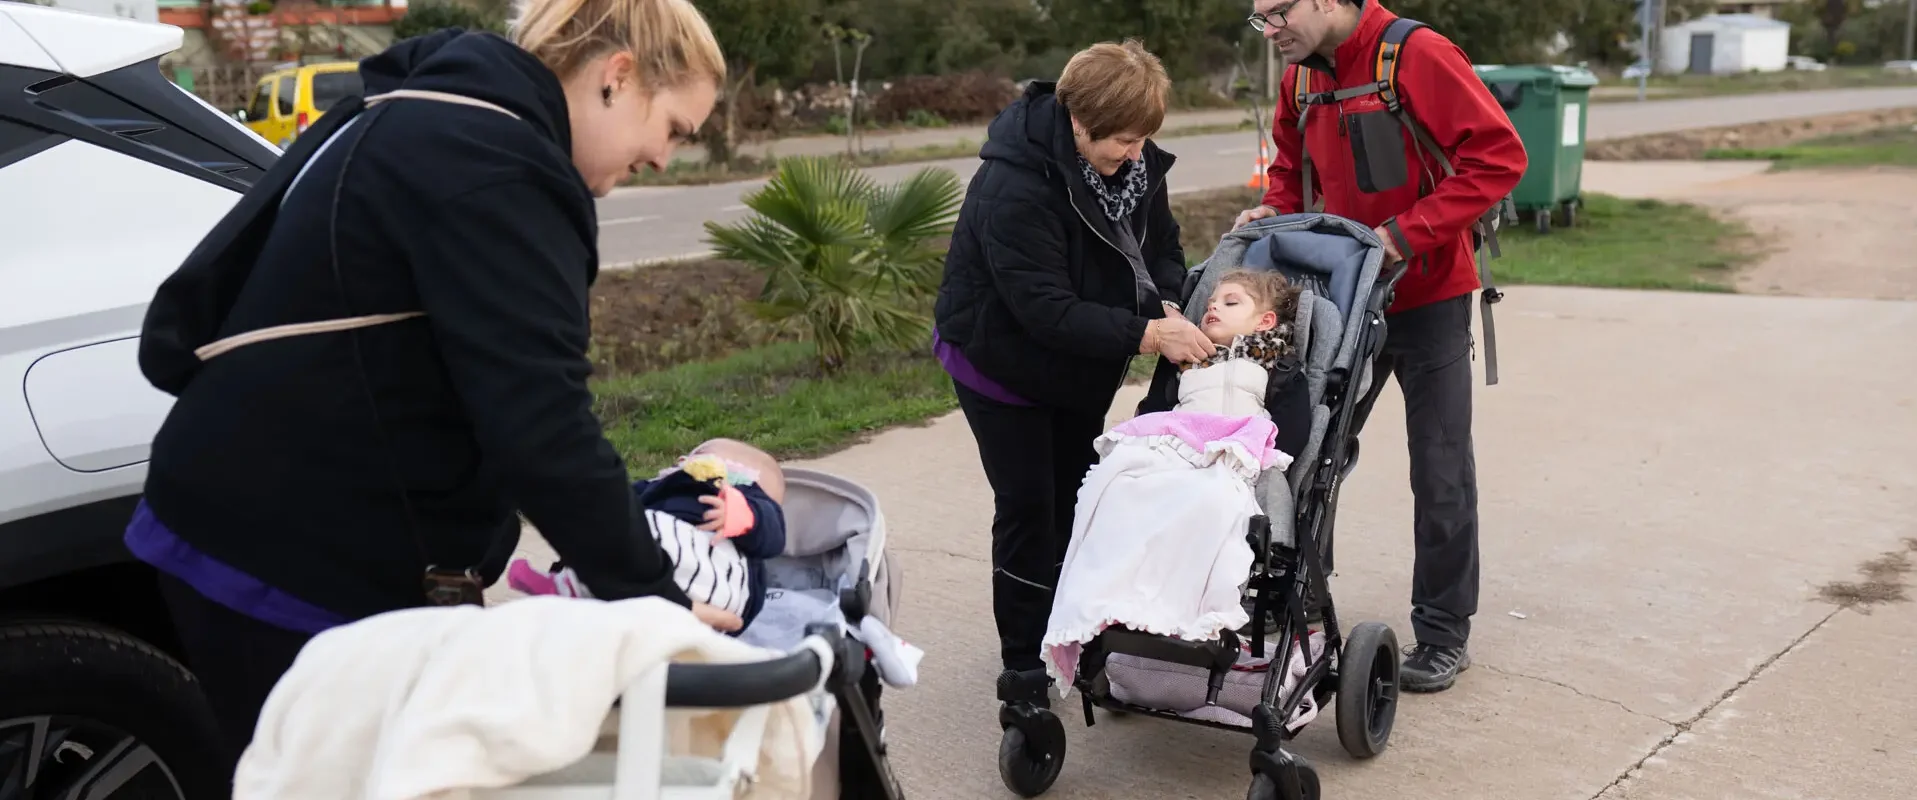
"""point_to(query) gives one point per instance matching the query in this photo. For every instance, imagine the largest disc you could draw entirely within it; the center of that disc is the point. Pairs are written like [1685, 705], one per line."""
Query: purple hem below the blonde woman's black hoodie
[154, 544]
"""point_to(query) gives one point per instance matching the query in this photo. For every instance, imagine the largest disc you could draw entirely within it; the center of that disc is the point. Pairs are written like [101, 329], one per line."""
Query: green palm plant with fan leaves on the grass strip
[850, 260]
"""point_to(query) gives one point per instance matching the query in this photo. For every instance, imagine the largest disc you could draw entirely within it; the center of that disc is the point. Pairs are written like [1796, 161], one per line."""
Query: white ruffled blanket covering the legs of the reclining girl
[1157, 546]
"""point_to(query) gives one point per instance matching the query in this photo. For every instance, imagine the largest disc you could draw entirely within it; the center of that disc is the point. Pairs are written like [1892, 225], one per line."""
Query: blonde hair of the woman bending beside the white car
[668, 39]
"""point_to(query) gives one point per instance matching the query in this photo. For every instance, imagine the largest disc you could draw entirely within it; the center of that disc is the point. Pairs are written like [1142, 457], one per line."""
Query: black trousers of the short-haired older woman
[1036, 461]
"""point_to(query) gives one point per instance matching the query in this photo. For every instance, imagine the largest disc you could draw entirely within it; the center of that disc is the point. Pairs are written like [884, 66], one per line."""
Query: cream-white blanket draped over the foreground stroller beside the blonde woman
[430, 703]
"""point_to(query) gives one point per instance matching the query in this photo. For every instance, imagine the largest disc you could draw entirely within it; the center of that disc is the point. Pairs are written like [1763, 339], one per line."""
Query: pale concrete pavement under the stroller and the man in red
[1667, 481]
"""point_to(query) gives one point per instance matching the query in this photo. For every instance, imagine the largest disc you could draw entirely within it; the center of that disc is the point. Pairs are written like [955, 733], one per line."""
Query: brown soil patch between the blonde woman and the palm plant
[657, 318]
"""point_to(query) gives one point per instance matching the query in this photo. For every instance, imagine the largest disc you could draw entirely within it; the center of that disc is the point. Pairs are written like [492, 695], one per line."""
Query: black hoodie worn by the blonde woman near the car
[287, 459]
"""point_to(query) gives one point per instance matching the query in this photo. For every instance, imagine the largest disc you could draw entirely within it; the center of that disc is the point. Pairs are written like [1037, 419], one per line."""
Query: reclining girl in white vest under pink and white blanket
[1159, 536]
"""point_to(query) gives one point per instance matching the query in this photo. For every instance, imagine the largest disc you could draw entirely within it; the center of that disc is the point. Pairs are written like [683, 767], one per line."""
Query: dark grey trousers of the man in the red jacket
[1429, 350]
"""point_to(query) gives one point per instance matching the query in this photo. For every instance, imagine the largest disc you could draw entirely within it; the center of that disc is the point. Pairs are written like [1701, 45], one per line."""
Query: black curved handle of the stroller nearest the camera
[756, 684]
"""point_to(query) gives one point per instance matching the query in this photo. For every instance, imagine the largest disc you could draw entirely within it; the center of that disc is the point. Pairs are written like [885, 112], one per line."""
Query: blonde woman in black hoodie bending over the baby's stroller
[381, 356]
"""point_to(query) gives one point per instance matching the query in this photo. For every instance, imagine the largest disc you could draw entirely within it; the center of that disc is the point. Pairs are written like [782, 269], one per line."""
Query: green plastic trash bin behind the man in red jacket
[1548, 106]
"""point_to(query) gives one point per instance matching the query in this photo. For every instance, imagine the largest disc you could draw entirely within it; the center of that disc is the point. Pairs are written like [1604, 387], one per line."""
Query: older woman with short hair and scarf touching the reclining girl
[1063, 268]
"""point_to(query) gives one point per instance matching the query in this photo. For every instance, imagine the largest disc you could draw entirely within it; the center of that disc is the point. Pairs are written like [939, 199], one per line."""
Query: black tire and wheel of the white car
[81, 699]
